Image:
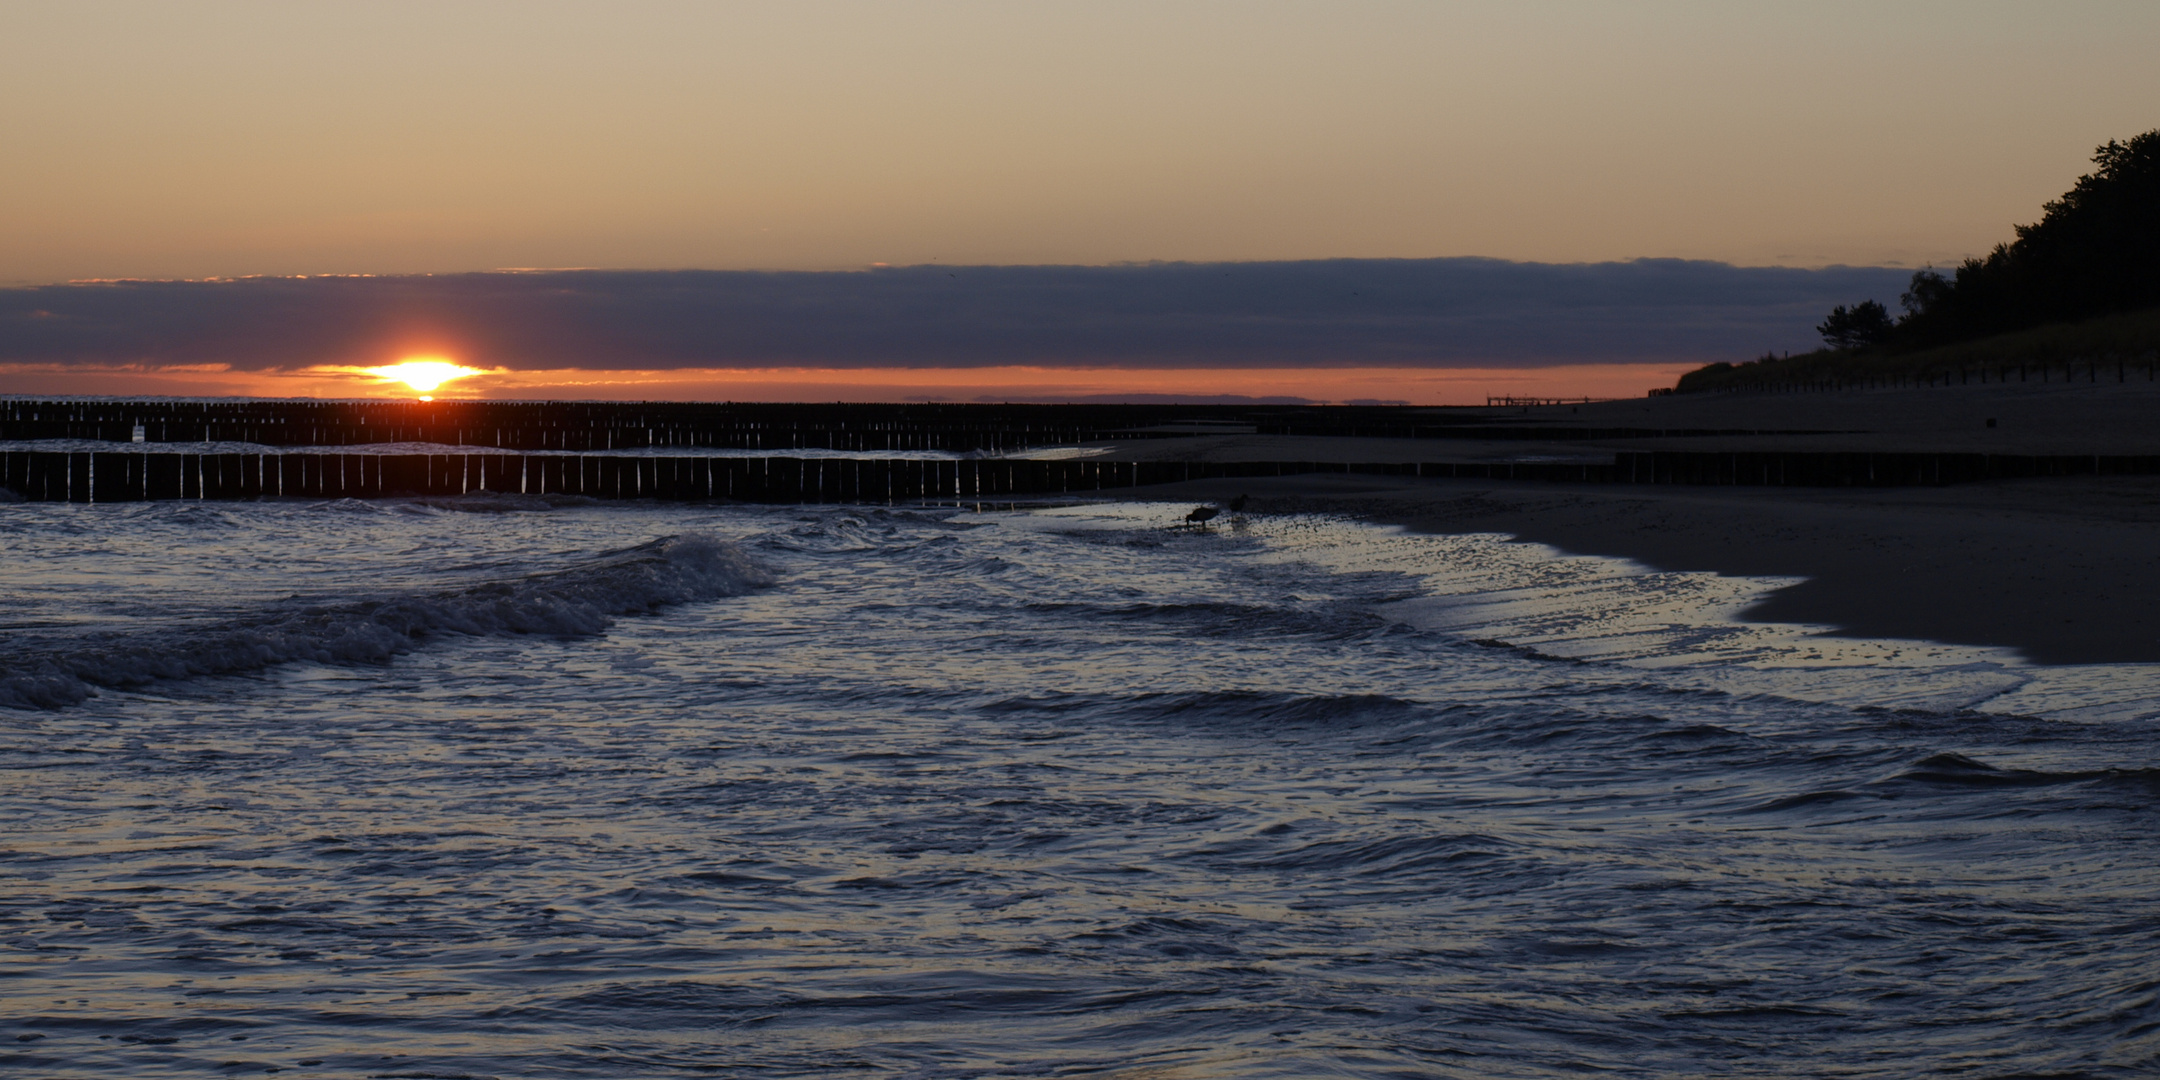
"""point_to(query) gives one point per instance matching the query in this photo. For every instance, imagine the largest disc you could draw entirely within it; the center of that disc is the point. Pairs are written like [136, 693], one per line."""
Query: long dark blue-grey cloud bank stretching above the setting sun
[1282, 314]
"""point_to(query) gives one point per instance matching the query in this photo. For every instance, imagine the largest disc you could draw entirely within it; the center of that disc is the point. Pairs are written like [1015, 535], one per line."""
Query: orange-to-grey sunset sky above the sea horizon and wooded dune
[273, 139]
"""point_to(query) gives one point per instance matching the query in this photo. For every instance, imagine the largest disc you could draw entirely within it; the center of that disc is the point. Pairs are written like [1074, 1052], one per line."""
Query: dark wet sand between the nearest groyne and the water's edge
[2062, 571]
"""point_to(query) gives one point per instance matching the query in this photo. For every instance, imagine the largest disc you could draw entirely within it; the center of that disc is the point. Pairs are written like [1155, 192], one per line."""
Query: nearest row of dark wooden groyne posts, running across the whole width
[116, 478]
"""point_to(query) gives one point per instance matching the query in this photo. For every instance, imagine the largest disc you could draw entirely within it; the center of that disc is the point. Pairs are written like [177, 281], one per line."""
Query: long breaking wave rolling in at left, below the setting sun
[567, 604]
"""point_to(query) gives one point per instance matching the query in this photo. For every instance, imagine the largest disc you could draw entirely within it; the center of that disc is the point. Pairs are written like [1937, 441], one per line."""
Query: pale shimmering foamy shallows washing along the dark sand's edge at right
[1688, 630]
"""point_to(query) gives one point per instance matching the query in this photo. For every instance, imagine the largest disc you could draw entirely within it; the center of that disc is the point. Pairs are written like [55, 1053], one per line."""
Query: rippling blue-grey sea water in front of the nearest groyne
[502, 787]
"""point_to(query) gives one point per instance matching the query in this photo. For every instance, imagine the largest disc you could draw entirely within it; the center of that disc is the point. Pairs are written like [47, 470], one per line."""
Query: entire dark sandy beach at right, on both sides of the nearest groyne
[2066, 571]
